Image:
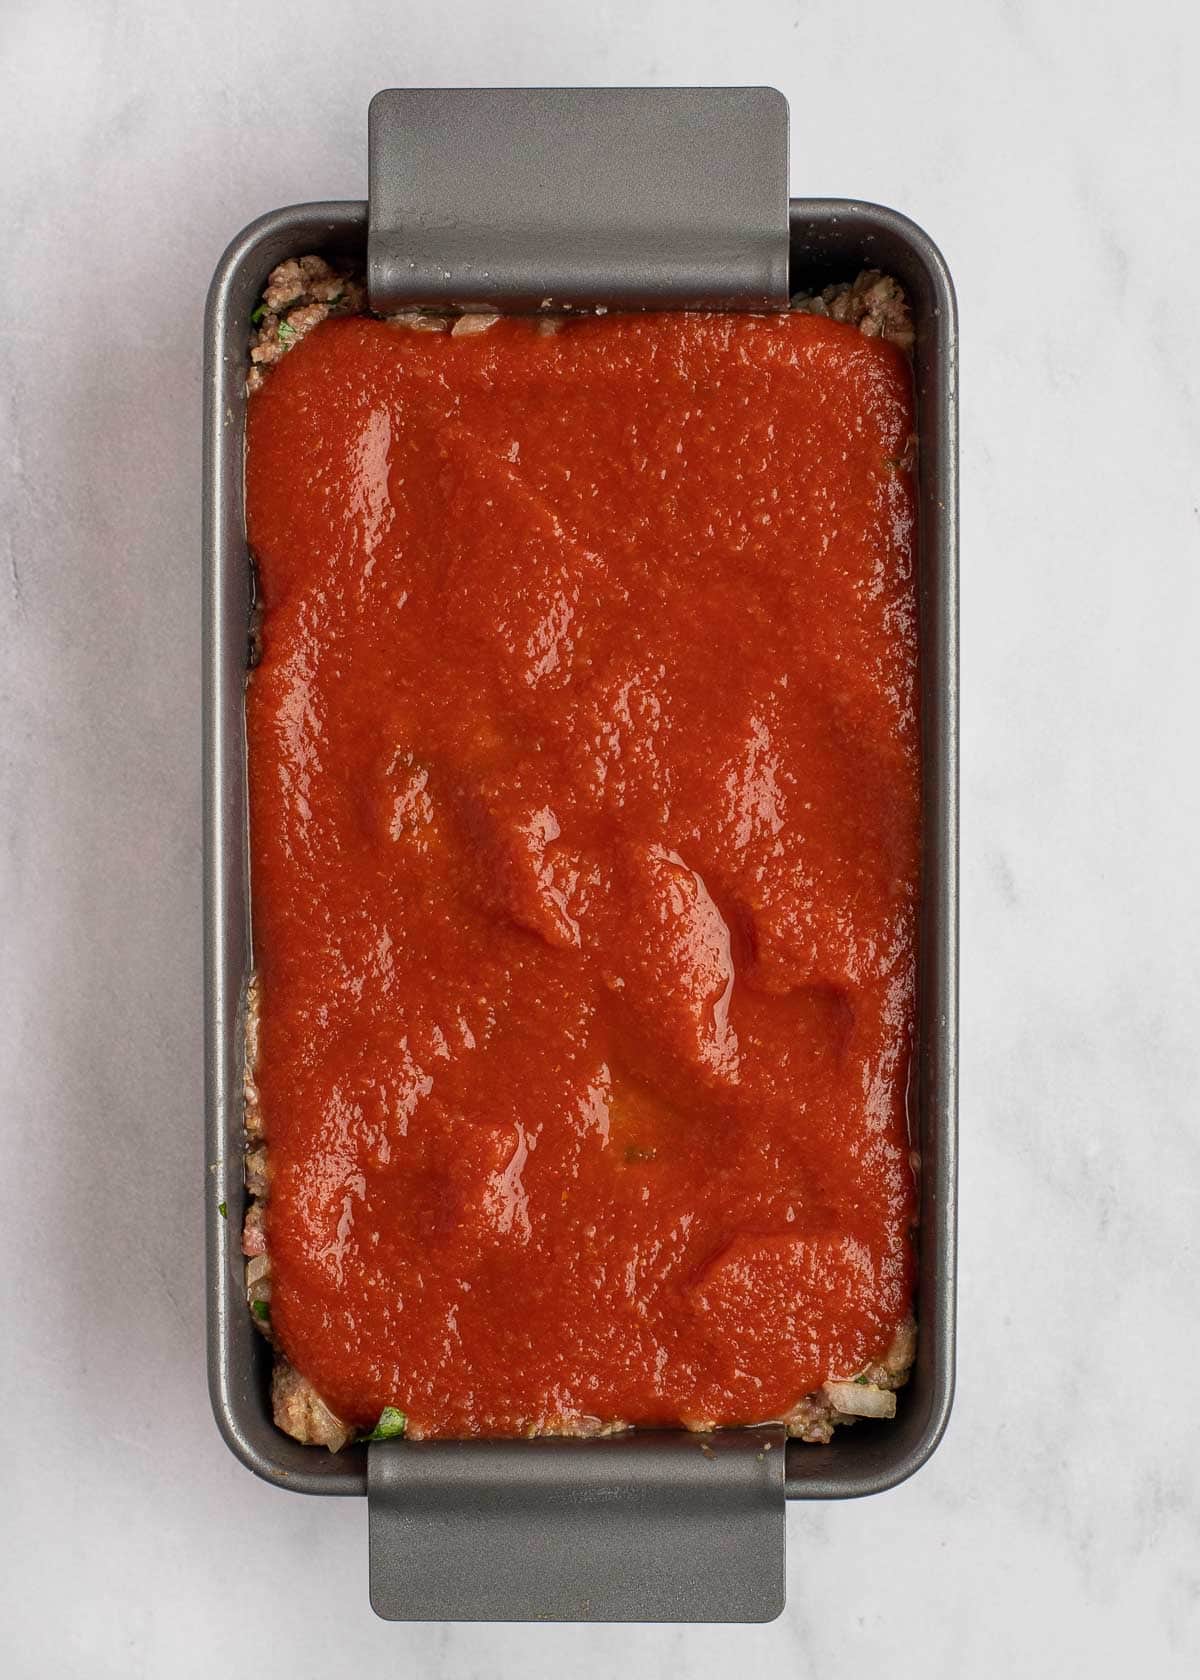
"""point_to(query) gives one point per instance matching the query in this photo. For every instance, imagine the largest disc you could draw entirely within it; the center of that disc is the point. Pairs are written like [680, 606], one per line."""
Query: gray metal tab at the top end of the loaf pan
[629, 197]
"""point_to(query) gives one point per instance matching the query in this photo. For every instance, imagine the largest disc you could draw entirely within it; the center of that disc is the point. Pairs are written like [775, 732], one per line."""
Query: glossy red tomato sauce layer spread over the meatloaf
[586, 839]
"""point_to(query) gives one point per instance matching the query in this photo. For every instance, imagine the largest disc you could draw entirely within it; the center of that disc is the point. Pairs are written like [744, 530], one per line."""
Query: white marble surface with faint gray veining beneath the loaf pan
[1051, 154]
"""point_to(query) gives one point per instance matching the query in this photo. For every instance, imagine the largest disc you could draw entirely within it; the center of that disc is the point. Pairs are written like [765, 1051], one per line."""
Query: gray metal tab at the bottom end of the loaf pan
[655, 1526]
